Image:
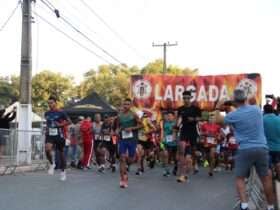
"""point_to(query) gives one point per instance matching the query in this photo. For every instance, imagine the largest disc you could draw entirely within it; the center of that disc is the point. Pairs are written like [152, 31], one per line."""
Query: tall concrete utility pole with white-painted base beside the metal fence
[25, 109]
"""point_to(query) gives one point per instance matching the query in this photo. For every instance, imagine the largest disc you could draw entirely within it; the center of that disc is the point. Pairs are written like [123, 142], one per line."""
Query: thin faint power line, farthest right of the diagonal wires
[111, 29]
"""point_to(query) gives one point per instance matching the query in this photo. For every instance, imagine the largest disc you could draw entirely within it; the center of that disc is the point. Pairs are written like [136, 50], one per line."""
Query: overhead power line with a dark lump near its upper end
[58, 15]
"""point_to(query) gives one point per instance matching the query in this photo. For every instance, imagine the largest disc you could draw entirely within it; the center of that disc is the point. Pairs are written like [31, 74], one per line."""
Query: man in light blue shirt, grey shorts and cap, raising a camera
[247, 122]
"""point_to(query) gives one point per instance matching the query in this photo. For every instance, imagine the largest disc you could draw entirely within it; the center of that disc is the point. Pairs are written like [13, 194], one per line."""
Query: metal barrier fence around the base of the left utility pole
[9, 150]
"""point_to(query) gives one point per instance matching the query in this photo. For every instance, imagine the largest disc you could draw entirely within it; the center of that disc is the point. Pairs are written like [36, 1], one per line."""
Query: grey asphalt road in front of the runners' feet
[90, 190]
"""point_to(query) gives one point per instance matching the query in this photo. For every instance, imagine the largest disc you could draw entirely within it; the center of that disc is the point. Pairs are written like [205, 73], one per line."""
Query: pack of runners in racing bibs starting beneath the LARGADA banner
[181, 139]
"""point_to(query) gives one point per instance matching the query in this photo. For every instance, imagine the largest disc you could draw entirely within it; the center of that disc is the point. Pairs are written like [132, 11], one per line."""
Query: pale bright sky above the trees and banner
[217, 36]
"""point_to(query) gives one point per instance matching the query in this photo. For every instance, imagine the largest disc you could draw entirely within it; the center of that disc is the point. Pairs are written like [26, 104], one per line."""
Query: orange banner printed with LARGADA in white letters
[156, 92]
